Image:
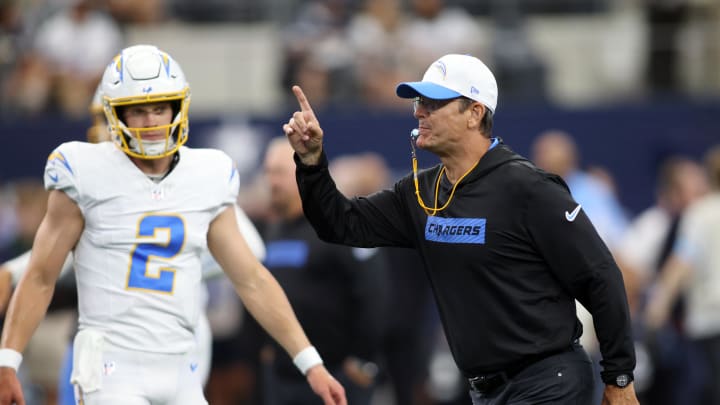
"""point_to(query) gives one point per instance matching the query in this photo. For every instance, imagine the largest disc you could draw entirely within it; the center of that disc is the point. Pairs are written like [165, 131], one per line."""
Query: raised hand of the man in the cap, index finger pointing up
[303, 131]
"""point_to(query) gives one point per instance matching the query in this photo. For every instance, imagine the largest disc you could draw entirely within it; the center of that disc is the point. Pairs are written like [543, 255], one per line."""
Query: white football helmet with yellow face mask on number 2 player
[143, 74]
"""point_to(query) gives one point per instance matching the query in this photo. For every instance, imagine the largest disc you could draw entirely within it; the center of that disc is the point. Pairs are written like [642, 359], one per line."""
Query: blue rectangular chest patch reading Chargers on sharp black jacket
[455, 230]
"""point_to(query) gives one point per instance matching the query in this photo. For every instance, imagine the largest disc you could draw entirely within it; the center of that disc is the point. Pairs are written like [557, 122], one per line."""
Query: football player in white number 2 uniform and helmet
[137, 214]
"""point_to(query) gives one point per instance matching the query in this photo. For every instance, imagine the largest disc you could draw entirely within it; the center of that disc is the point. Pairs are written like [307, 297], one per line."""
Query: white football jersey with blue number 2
[138, 259]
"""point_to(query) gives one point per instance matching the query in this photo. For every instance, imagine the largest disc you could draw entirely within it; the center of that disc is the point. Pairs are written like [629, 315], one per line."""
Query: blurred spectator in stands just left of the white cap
[375, 36]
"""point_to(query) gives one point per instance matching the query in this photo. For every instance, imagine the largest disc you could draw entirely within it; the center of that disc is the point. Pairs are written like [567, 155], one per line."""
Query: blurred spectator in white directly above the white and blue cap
[434, 30]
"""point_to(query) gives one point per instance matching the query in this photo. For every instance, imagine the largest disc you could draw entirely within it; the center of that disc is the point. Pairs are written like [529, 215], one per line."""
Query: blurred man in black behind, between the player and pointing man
[337, 294]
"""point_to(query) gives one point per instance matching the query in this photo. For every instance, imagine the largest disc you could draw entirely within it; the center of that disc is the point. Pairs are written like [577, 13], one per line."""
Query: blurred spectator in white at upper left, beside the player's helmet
[69, 54]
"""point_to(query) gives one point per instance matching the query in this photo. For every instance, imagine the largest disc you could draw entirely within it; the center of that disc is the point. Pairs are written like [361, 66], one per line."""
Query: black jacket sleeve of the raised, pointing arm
[376, 220]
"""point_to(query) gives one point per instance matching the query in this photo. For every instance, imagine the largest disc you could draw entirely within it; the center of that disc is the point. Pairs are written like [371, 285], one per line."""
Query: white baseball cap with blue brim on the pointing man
[453, 76]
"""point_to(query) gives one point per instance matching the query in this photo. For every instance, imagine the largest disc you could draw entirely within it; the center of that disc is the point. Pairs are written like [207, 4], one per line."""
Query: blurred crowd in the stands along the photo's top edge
[352, 51]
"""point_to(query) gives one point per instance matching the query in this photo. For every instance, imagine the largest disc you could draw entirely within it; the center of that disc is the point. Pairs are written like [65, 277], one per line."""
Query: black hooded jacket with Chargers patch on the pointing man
[506, 259]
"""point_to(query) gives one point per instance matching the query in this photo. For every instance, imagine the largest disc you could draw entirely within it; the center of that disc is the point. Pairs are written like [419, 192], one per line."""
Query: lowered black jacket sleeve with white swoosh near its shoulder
[571, 247]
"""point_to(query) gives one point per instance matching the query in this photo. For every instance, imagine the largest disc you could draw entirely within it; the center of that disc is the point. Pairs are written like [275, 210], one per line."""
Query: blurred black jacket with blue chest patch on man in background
[333, 291]
